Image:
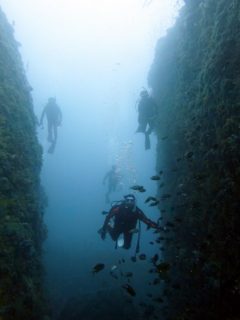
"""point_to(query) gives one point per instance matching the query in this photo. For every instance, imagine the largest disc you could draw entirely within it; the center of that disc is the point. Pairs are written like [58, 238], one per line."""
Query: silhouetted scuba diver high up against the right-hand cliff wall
[147, 110]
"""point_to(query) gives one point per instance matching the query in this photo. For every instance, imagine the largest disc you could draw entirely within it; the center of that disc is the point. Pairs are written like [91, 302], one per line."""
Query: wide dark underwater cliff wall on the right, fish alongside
[195, 79]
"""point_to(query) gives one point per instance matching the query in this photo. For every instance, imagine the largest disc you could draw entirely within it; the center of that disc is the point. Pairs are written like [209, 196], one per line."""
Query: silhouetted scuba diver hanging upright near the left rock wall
[54, 119]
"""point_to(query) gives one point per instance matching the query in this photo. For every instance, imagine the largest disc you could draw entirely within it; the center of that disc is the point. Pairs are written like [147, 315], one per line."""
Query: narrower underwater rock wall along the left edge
[21, 197]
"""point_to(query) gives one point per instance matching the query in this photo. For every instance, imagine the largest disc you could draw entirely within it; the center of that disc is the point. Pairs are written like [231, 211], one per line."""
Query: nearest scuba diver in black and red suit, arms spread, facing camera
[126, 215]
